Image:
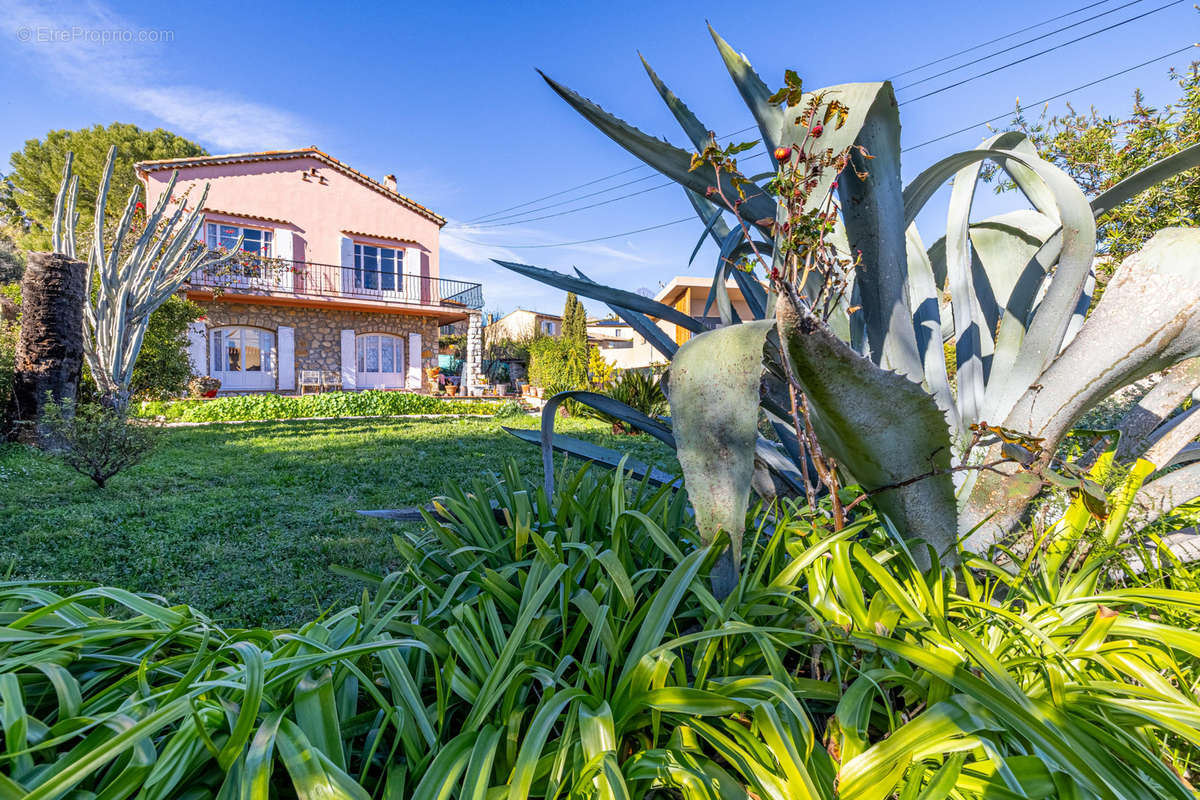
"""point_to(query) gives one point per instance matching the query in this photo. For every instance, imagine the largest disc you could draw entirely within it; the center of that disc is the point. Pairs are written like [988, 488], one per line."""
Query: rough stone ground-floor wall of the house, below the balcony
[319, 332]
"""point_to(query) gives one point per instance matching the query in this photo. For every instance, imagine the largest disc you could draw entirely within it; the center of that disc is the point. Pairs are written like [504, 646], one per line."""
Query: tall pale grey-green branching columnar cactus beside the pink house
[123, 293]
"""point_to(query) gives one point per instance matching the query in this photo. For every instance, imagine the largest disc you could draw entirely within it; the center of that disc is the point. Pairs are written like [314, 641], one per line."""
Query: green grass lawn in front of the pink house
[244, 521]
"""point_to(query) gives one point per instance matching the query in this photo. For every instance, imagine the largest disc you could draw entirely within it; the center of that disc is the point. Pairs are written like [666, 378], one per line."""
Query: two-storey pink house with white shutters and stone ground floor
[340, 285]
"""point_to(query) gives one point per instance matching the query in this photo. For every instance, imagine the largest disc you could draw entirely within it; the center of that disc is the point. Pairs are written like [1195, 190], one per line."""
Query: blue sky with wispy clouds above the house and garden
[446, 97]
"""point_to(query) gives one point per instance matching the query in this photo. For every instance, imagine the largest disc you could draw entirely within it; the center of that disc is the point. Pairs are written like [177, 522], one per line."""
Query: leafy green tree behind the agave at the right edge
[1100, 151]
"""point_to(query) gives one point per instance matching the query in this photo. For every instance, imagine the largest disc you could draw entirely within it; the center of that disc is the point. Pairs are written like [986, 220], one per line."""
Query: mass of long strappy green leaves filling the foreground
[572, 649]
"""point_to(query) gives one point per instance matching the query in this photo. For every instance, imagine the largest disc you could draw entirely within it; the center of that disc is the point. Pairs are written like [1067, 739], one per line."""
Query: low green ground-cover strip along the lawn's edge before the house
[280, 407]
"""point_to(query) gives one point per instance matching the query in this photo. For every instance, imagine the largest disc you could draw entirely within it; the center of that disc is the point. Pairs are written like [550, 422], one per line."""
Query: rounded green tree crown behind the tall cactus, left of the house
[38, 172]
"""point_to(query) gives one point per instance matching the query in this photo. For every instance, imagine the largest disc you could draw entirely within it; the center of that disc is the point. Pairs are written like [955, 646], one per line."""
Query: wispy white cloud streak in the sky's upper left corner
[95, 51]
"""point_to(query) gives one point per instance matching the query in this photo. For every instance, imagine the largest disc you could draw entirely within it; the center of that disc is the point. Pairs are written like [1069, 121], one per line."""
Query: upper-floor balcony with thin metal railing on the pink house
[274, 278]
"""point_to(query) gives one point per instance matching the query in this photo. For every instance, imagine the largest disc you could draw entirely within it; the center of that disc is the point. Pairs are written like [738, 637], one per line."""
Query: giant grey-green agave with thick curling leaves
[1033, 354]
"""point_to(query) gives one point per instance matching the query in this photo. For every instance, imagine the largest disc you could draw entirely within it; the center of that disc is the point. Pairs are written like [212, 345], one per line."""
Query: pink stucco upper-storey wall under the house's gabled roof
[316, 210]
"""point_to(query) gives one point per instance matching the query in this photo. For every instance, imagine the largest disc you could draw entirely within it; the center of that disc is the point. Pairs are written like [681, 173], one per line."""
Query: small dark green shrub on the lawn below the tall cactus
[95, 441]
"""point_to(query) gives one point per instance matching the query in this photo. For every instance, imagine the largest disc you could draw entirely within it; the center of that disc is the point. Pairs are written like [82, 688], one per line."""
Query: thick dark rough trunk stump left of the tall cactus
[50, 350]
